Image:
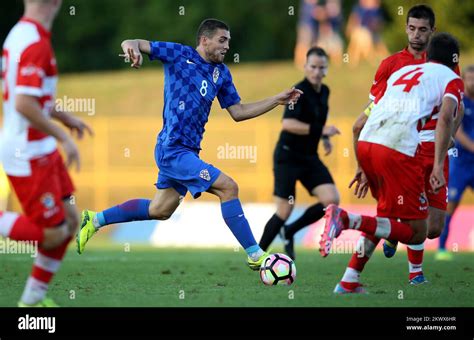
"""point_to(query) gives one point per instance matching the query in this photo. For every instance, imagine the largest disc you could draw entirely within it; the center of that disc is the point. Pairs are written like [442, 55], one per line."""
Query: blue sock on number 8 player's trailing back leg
[133, 210]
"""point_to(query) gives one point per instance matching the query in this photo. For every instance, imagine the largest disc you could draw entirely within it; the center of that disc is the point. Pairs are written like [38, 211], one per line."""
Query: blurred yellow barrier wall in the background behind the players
[118, 162]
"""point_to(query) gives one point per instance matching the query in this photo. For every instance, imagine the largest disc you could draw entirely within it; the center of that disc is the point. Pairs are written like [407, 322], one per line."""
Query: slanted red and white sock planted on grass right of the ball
[365, 248]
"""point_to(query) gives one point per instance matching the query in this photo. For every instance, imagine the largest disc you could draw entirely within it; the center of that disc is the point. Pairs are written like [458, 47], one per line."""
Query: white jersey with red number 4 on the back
[412, 95]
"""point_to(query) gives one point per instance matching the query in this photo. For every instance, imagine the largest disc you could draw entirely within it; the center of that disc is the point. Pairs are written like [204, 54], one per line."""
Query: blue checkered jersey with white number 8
[191, 84]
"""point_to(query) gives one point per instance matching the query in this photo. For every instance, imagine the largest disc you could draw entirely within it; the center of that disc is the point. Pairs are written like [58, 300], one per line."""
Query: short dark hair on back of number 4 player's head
[444, 48]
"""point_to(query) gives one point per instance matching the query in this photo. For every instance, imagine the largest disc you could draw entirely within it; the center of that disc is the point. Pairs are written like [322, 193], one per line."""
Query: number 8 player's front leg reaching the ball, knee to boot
[227, 190]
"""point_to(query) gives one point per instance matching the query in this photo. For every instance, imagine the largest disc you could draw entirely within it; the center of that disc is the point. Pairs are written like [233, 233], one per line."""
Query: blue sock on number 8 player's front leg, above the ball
[234, 218]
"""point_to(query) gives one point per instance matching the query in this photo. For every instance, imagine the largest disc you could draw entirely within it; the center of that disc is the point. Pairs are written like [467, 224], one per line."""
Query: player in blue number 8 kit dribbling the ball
[193, 78]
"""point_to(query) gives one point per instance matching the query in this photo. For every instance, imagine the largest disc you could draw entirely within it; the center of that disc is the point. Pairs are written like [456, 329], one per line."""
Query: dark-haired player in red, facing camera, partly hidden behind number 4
[420, 26]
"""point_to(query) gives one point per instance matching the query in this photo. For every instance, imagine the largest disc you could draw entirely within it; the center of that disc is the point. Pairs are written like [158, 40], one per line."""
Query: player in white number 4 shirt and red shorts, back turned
[388, 152]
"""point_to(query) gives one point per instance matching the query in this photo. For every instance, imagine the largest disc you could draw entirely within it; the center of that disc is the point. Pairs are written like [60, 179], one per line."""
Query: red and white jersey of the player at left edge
[29, 67]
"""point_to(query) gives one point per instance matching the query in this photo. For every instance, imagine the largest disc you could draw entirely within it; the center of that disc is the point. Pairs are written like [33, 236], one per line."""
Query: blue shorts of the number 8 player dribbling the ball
[182, 170]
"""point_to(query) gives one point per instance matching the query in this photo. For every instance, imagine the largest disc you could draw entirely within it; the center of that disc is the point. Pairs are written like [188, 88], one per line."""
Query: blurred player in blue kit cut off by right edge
[461, 163]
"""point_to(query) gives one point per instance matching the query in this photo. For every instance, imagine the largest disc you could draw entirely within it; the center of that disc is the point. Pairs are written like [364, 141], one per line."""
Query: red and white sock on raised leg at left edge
[19, 228]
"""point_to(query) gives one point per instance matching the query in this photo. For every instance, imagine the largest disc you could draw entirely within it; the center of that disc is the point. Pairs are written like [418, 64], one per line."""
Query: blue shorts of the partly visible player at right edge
[460, 177]
